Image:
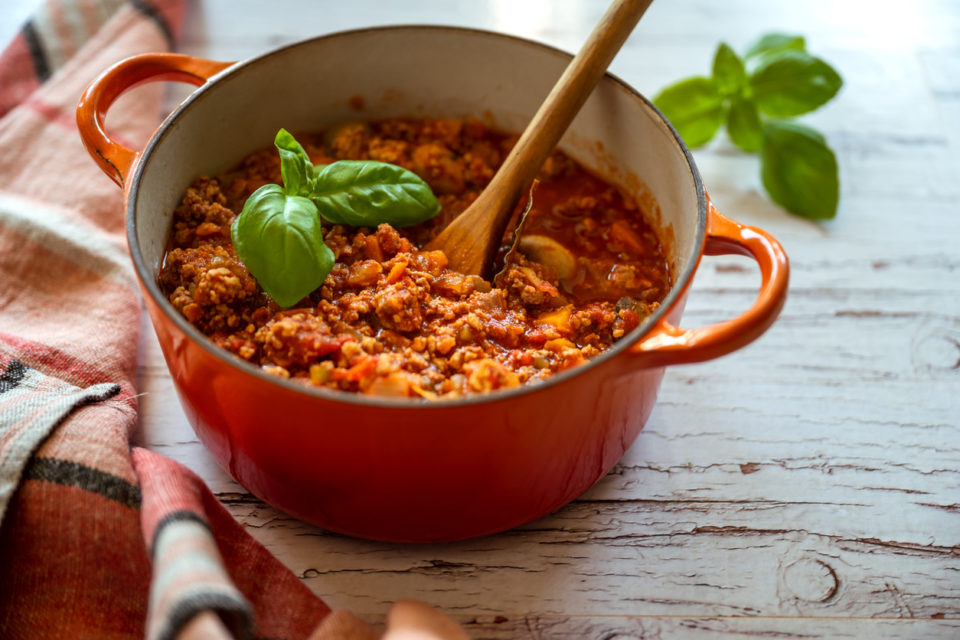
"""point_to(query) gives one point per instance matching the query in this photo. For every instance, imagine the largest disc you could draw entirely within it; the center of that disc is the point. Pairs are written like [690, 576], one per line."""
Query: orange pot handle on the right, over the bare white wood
[667, 344]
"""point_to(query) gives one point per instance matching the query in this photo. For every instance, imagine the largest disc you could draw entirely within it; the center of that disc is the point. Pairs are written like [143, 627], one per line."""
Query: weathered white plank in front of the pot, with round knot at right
[641, 557]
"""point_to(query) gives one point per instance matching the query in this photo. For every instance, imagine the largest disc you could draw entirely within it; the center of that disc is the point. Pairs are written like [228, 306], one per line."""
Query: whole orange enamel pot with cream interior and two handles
[408, 470]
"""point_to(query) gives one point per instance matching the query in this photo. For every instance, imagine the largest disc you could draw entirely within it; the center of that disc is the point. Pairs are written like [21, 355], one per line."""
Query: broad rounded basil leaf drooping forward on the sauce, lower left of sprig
[279, 239]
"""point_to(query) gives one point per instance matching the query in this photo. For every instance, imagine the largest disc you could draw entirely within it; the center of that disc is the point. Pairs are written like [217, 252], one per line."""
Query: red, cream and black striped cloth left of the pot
[98, 540]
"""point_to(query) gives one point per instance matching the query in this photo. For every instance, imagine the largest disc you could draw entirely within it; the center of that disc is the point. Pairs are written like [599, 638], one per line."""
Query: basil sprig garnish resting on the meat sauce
[278, 234]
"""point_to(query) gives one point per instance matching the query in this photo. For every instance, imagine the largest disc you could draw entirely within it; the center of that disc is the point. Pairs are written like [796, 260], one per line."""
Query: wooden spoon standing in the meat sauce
[471, 240]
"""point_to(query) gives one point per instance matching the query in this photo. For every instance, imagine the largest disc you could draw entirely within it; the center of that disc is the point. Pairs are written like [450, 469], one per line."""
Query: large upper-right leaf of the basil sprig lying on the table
[790, 83]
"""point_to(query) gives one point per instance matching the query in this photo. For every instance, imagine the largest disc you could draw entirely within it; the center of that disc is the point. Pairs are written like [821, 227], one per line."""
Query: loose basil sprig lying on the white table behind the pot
[753, 96]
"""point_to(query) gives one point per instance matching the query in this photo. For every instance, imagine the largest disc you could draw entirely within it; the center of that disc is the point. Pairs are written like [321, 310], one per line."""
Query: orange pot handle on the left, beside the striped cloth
[115, 159]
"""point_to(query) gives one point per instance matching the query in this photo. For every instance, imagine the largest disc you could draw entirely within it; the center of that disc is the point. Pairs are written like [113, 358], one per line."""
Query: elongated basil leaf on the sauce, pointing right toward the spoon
[365, 193]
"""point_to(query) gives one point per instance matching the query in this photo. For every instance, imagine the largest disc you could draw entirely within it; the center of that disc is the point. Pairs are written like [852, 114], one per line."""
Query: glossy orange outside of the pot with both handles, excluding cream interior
[411, 471]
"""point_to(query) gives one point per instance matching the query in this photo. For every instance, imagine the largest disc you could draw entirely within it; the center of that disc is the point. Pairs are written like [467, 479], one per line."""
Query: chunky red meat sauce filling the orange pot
[390, 319]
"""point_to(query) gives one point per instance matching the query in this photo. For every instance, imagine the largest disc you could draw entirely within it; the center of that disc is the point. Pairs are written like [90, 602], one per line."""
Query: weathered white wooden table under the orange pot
[806, 486]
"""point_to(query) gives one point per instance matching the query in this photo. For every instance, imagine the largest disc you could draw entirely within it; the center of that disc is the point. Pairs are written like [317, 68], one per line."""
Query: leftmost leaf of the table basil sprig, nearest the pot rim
[694, 107]
